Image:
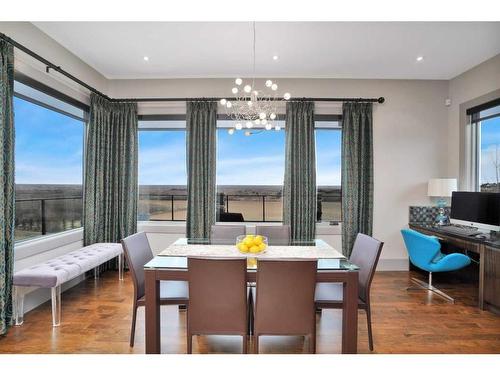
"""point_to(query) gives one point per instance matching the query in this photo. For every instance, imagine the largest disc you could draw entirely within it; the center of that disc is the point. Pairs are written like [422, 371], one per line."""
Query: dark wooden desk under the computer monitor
[489, 262]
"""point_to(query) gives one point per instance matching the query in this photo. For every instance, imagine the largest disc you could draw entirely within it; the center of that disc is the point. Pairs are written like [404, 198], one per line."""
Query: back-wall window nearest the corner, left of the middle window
[162, 170]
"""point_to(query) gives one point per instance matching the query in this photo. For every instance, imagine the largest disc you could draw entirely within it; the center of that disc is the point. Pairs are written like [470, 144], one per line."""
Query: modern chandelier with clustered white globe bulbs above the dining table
[252, 106]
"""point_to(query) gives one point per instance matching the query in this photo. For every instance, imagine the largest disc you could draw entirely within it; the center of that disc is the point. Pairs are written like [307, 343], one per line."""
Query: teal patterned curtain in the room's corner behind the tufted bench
[110, 208]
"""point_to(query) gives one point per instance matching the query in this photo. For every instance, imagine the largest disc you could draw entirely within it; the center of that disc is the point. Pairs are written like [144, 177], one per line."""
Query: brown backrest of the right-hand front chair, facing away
[285, 297]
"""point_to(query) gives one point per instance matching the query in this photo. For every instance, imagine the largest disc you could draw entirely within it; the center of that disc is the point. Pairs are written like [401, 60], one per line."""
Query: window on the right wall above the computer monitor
[487, 125]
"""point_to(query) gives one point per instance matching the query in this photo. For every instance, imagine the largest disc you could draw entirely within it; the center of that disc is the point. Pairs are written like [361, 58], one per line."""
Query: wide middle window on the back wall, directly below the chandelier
[250, 172]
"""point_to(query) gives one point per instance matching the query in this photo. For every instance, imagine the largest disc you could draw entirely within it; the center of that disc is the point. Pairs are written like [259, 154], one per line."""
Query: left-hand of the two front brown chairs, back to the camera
[217, 298]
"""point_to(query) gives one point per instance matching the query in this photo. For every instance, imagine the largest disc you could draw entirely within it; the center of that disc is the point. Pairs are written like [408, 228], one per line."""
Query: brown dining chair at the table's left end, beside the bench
[137, 254]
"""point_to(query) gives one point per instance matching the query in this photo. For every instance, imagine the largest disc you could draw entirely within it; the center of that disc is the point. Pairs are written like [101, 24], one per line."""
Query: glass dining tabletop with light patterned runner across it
[178, 259]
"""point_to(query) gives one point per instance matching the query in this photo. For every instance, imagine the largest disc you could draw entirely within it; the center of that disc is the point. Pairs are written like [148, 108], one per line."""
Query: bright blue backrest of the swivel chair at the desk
[421, 249]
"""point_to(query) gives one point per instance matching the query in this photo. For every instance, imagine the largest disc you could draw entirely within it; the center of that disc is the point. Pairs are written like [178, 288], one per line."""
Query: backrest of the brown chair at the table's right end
[365, 254]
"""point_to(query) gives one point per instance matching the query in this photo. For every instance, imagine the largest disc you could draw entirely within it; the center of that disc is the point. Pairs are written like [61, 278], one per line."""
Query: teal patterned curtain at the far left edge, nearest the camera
[7, 204]
